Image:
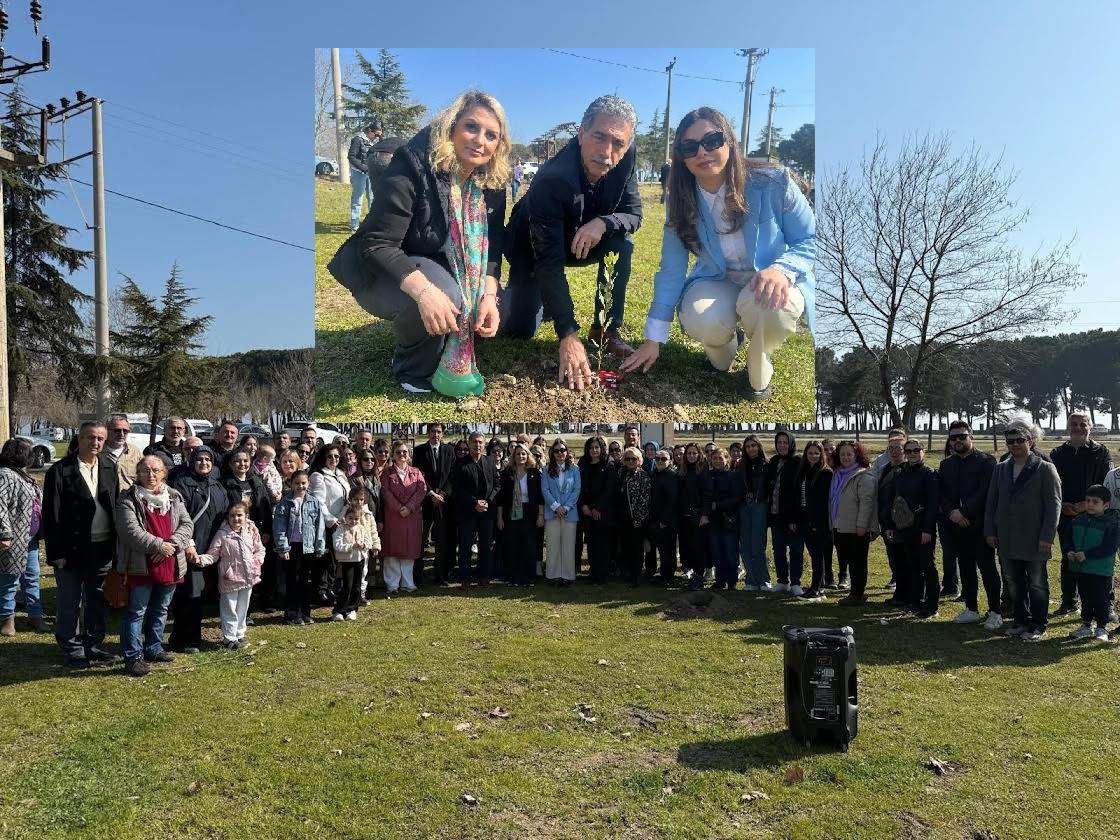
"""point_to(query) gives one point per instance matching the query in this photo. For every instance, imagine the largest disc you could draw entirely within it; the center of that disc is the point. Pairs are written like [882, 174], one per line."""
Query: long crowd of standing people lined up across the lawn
[301, 524]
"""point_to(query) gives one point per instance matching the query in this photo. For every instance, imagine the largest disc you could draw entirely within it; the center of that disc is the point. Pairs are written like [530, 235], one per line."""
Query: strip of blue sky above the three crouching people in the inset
[540, 89]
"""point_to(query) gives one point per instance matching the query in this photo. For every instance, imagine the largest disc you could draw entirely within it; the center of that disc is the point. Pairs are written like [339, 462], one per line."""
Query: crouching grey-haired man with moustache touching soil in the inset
[583, 207]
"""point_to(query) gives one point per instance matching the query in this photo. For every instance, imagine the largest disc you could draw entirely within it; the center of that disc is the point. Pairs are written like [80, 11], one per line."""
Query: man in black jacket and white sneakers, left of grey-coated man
[965, 478]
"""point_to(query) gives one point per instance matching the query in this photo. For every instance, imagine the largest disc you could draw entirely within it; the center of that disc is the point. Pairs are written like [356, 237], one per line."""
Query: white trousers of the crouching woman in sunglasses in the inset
[712, 310]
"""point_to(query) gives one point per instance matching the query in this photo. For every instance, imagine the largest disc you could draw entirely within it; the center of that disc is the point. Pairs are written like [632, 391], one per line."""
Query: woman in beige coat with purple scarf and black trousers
[853, 514]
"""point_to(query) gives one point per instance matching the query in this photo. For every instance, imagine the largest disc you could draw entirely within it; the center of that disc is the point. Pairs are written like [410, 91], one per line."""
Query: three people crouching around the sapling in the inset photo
[428, 256]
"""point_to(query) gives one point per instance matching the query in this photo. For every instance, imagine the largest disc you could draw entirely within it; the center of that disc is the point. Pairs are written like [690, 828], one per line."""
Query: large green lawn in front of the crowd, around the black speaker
[377, 729]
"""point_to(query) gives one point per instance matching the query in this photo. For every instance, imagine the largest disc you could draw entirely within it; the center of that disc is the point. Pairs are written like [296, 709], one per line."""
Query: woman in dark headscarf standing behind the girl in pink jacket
[207, 501]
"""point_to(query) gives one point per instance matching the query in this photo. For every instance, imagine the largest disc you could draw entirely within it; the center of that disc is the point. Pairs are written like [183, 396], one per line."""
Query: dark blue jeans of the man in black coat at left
[78, 587]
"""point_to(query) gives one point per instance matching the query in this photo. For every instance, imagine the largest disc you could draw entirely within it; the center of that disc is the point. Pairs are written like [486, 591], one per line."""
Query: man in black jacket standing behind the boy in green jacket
[1081, 463]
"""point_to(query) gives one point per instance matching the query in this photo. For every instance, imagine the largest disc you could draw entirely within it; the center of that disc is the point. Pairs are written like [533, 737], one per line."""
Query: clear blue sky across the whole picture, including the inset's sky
[1023, 80]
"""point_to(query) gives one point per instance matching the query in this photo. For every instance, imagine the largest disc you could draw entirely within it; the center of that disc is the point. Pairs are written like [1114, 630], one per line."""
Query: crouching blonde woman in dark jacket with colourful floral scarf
[432, 245]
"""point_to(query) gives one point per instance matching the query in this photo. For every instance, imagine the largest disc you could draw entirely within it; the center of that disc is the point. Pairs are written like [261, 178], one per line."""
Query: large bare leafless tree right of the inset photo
[916, 259]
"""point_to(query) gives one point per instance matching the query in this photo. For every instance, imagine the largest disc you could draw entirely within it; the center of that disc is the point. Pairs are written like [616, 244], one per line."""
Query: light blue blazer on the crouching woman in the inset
[780, 230]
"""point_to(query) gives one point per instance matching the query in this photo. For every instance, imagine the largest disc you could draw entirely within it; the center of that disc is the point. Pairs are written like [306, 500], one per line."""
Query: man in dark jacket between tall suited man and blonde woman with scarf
[475, 488]
